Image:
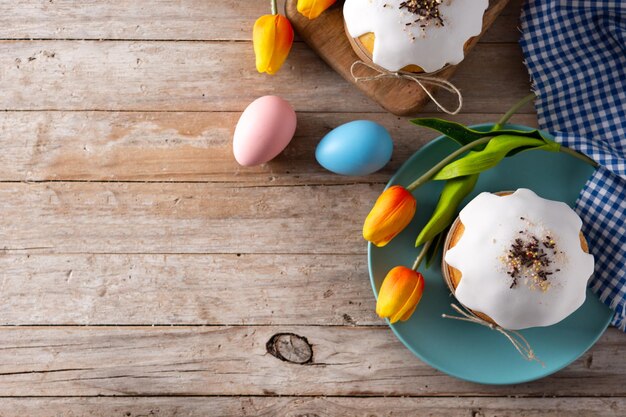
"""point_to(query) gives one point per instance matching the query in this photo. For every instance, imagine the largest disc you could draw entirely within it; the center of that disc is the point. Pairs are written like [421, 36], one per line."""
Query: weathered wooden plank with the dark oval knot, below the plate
[346, 361]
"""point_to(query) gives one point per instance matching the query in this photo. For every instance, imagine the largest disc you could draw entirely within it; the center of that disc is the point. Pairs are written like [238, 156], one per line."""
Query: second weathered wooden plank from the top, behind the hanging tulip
[215, 76]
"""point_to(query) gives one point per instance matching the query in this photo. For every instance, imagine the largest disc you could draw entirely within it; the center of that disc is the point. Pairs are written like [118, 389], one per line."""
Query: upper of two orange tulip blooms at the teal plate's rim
[392, 212]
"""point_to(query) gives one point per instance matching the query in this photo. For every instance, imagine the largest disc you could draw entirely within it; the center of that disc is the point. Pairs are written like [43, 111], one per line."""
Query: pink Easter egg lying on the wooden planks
[264, 129]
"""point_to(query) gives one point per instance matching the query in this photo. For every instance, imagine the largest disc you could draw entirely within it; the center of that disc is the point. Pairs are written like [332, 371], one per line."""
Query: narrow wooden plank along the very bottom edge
[313, 406]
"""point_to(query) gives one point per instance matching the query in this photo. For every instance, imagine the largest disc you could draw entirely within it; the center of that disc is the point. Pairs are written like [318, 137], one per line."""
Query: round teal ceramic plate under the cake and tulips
[470, 351]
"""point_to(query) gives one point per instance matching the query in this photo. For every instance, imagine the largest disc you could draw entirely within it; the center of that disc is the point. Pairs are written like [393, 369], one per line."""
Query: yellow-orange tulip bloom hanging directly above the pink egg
[272, 37]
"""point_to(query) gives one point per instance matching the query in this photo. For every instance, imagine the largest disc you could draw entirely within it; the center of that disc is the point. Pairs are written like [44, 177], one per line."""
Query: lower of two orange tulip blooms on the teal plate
[400, 293]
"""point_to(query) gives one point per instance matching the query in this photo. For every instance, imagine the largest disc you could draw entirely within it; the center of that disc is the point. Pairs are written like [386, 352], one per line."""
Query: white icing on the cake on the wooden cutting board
[398, 44]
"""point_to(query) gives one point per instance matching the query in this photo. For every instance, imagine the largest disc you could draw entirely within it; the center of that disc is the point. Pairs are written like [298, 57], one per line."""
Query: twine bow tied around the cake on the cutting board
[421, 80]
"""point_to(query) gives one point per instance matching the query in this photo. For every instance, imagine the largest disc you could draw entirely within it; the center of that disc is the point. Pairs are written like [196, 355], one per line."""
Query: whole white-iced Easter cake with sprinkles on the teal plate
[518, 260]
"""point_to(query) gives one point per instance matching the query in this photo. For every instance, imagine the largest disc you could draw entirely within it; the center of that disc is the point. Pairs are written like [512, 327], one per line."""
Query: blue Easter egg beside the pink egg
[355, 148]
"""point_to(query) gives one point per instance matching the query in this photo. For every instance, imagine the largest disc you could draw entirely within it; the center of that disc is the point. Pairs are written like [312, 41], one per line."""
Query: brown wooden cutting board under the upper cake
[326, 36]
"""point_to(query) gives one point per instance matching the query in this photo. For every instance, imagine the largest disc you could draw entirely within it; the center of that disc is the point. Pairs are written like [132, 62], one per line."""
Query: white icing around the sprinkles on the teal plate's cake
[492, 223]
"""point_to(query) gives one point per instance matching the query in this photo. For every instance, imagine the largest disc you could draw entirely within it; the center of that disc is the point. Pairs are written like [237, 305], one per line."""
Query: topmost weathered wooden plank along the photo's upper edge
[160, 19]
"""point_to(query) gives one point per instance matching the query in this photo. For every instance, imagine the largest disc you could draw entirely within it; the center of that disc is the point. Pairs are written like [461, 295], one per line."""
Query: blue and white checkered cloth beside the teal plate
[575, 51]
